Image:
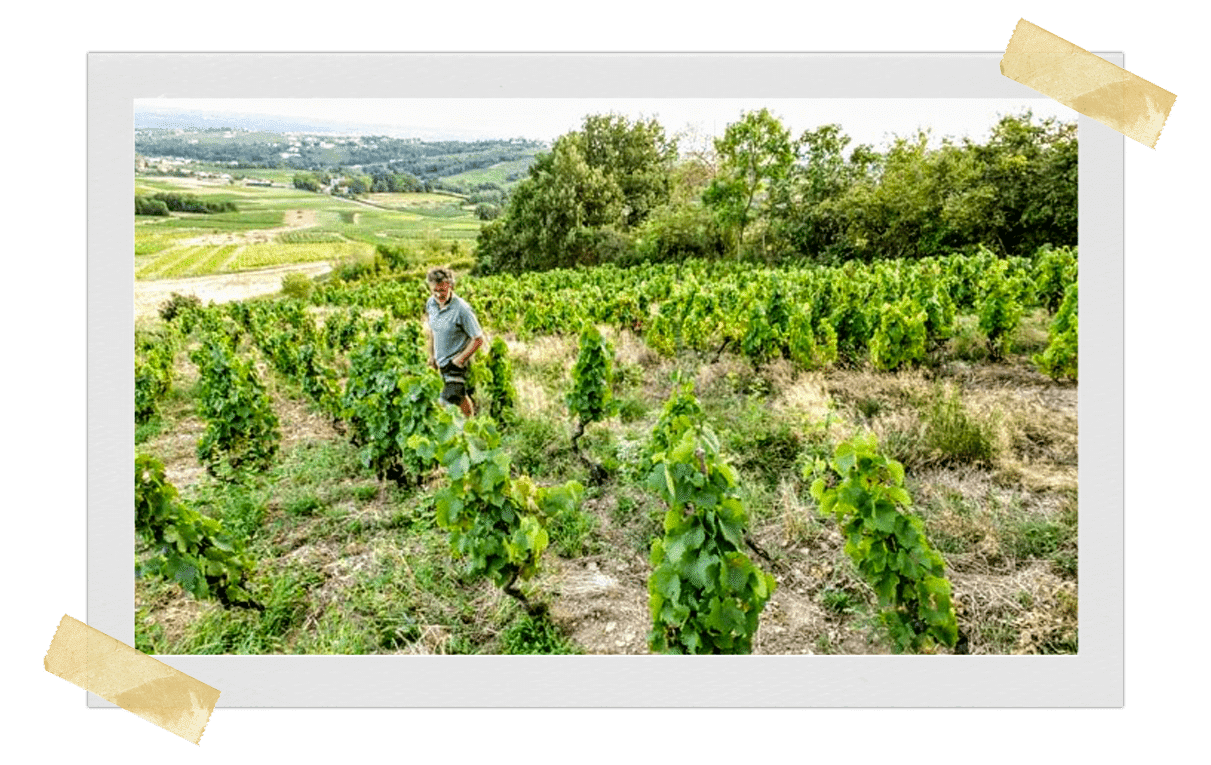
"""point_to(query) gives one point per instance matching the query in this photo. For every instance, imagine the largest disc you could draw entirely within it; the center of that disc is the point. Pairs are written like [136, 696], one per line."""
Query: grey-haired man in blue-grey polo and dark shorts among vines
[452, 336]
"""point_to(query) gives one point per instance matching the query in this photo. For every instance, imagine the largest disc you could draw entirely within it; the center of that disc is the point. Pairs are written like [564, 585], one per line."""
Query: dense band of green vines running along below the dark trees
[891, 313]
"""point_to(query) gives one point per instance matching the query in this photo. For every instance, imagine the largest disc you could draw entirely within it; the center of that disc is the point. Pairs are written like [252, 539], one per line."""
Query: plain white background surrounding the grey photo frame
[45, 386]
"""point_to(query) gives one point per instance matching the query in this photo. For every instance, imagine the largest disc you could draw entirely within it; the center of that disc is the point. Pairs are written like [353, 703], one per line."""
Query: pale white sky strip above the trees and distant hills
[874, 122]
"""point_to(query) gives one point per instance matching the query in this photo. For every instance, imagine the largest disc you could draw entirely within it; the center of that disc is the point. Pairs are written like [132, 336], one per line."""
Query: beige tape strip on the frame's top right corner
[1087, 83]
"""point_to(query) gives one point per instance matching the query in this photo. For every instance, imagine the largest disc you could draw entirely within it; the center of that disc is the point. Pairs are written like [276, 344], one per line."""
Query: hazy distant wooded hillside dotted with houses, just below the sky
[443, 164]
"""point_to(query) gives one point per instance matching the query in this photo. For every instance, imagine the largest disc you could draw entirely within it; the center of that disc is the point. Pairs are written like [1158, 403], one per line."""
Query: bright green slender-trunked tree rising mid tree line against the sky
[755, 156]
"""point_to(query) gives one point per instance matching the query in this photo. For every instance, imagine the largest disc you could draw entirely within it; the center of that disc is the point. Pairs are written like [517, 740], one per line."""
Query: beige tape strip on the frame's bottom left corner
[131, 680]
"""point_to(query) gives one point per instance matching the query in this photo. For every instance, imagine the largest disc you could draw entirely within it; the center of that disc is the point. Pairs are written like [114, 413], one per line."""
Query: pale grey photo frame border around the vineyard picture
[1092, 678]
